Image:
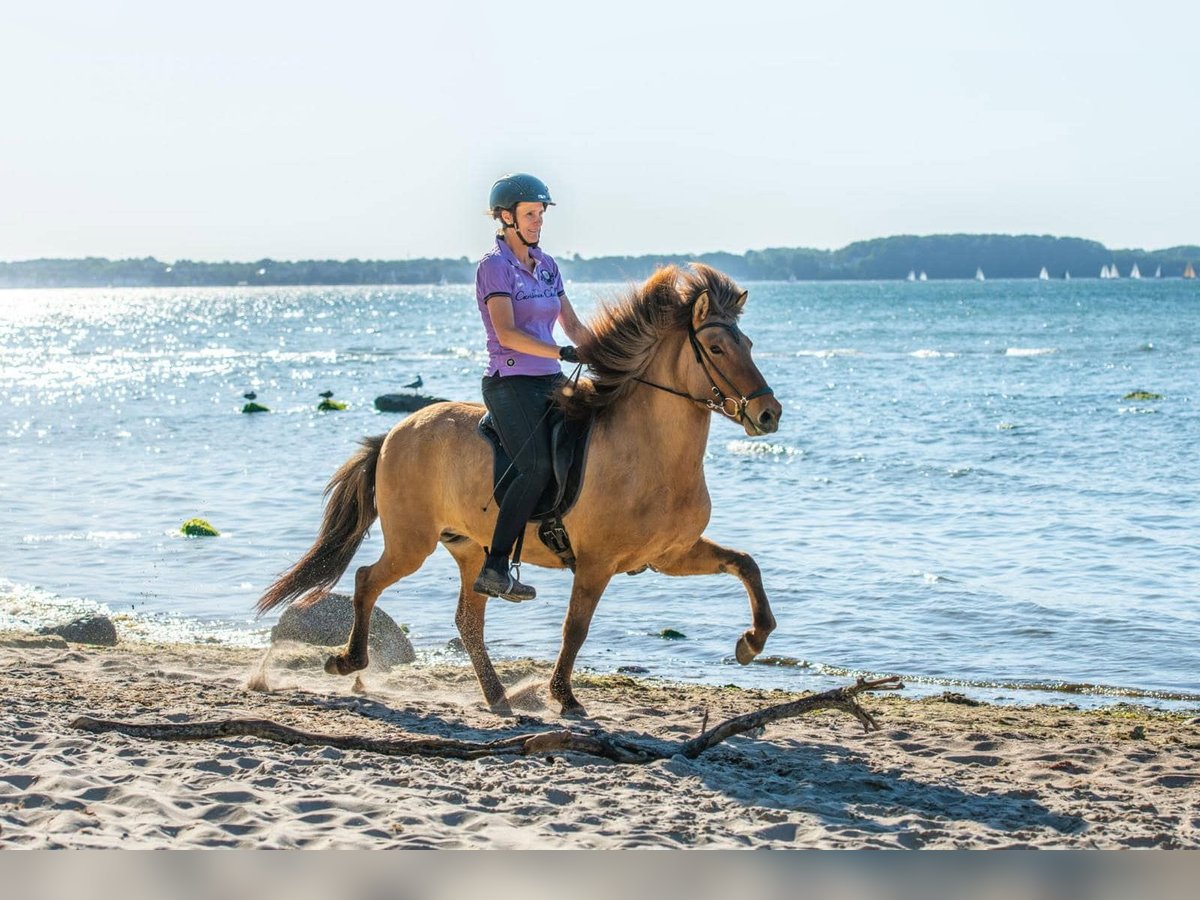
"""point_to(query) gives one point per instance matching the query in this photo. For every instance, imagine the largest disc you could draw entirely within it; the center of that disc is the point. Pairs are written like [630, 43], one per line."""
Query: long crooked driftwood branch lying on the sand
[610, 747]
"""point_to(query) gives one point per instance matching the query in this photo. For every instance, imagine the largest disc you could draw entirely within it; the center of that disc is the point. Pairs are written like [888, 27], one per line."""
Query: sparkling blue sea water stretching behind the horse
[962, 491]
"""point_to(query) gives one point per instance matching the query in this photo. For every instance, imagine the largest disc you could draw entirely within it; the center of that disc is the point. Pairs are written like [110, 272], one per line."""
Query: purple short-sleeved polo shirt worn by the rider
[536, 307]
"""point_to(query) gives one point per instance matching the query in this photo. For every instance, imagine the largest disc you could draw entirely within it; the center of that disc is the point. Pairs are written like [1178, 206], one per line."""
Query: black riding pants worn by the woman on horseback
[519, 406]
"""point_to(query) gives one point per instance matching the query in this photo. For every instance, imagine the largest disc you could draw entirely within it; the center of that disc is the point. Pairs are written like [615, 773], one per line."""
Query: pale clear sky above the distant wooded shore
[375, 130]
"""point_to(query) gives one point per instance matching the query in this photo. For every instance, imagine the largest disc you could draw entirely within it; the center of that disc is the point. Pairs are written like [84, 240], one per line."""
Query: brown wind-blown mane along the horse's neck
[626, 332]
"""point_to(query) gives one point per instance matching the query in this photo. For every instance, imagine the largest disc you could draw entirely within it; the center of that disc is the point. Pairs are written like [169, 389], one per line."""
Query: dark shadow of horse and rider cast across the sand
[835, 783]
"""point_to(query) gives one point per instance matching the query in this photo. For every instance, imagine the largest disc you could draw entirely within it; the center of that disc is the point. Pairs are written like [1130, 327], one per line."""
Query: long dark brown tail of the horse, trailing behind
[350, 512]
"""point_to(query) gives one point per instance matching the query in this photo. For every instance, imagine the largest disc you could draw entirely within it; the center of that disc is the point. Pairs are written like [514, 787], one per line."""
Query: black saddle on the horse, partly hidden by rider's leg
[569, 451]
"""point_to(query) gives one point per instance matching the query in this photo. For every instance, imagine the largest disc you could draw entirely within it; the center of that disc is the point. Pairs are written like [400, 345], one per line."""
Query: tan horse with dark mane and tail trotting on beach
[663, 359]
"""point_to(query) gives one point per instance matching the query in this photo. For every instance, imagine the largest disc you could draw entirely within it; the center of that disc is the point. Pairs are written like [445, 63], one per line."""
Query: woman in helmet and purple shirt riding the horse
[520, 296]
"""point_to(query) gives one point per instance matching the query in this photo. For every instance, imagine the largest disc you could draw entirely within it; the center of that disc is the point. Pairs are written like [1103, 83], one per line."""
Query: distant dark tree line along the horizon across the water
[949, 256]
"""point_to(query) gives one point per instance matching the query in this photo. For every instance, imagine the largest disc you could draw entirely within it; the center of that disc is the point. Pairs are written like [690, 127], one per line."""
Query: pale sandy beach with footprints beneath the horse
[938, 773]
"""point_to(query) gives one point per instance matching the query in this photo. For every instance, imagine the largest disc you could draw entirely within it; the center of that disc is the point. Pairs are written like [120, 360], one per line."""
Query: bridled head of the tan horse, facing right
[722, 369]
